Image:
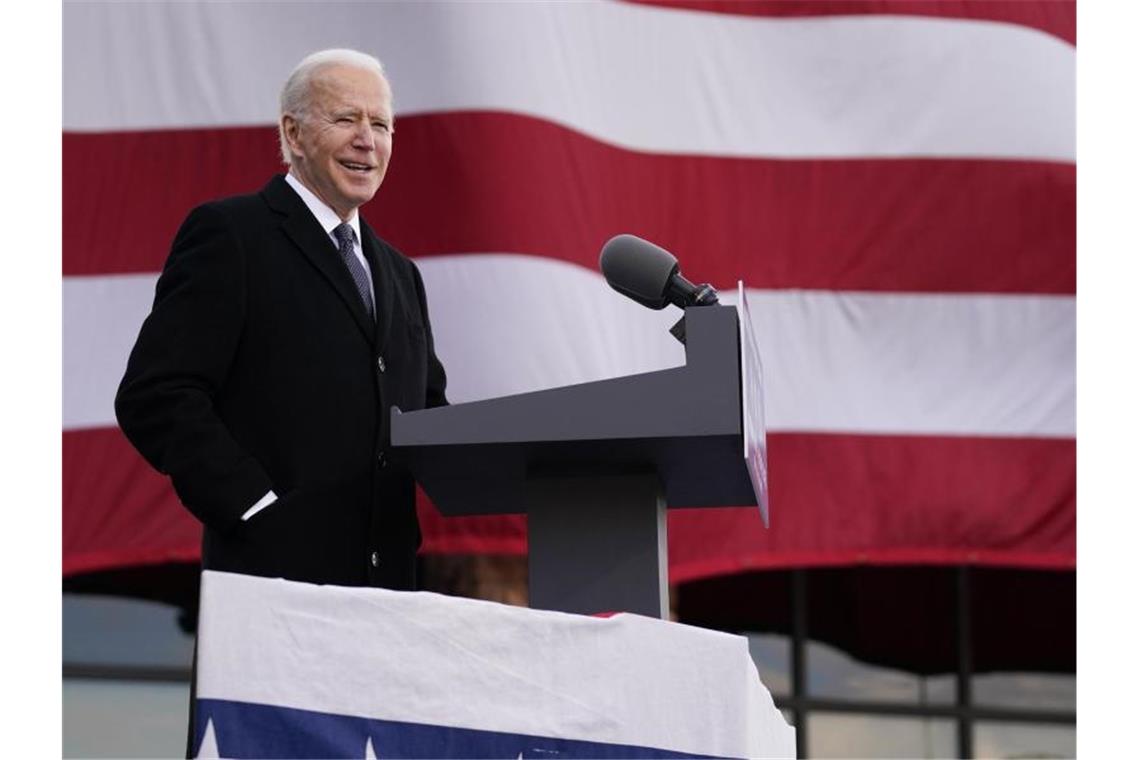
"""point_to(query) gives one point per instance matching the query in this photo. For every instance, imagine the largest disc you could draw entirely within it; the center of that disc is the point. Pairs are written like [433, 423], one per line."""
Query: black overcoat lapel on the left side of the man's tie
[306, 233]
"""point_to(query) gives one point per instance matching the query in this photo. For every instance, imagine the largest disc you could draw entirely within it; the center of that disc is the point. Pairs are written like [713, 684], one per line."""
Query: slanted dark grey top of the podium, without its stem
[685, 423]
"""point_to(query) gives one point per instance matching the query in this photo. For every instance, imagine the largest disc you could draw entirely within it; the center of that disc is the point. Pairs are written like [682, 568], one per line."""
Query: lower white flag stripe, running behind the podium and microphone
[861, 363]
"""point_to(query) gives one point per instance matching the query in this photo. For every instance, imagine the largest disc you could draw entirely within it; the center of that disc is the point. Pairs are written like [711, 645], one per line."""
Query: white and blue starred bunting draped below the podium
[292, 671]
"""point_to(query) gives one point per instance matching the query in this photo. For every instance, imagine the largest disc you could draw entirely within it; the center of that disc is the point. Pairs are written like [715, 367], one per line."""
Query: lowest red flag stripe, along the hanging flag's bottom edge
[836, 500]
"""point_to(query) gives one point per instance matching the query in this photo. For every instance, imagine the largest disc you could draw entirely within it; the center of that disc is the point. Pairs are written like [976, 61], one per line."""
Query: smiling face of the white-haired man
[343, 145]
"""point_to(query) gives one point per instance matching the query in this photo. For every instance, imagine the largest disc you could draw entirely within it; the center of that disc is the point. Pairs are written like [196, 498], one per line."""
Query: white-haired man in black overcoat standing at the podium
[283, 331]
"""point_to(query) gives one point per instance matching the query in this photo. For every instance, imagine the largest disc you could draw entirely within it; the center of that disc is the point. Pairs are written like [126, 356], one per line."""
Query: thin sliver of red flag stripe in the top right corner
[1056, 18]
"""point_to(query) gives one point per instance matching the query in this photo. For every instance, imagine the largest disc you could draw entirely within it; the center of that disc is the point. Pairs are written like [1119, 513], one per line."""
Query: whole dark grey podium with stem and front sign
[595, 467]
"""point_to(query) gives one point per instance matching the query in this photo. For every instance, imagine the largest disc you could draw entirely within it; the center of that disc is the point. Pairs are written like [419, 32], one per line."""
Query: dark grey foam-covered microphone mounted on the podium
[650, 275]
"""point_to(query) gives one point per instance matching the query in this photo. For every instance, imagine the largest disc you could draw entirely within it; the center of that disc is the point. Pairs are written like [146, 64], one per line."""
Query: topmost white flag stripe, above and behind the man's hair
[638, 77]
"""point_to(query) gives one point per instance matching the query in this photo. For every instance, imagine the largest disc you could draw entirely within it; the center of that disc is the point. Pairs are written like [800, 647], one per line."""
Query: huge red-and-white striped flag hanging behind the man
[894, 182]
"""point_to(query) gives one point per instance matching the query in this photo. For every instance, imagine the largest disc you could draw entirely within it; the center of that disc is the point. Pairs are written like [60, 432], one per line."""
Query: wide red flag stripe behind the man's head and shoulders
[507, 184]
